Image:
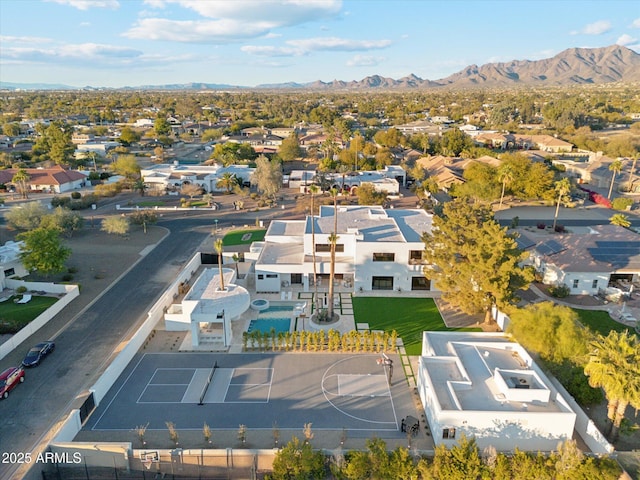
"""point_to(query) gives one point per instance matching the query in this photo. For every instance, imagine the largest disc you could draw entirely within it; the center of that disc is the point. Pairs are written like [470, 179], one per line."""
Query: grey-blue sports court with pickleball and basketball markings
[332, 391]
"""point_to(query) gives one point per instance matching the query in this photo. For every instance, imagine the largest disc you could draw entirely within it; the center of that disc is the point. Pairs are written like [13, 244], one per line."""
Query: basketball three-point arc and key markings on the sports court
[353, 386]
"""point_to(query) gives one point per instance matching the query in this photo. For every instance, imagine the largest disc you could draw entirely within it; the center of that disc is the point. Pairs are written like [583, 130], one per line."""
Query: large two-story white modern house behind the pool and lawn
[377, 249]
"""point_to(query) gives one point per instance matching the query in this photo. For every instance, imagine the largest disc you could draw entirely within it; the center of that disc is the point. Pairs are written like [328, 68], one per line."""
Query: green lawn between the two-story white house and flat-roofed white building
[407, 316]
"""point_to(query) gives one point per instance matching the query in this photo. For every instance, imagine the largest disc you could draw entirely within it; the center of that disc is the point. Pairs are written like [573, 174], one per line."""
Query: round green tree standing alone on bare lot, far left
[43, 250]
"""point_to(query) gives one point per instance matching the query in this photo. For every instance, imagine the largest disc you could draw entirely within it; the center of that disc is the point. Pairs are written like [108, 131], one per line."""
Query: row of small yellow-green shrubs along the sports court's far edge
[318, 341]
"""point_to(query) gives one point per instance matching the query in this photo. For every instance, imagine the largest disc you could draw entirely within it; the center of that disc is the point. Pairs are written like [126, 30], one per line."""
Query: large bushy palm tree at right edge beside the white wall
[614, 366]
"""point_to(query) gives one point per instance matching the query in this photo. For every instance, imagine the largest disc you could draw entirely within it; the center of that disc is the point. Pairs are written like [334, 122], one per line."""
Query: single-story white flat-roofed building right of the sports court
[485, 386]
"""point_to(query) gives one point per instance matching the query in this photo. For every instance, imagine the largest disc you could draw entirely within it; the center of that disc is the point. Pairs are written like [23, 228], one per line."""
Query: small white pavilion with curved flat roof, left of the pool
[207, 310]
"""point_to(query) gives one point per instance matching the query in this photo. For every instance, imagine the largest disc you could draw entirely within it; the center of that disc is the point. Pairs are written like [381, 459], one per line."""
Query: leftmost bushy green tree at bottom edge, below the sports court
[298, 461]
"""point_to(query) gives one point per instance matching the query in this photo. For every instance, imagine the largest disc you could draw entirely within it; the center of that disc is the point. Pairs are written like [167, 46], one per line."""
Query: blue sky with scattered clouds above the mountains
[116, 43]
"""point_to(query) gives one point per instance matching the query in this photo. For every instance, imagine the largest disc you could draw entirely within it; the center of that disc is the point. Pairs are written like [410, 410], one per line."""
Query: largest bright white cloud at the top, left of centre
[231, 21]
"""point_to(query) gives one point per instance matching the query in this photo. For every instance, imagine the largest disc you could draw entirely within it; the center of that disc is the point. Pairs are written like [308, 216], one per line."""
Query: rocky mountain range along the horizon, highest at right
[573, 66]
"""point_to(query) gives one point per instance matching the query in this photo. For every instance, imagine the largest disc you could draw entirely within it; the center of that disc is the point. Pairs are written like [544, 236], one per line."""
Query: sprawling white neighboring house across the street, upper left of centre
[164, 177]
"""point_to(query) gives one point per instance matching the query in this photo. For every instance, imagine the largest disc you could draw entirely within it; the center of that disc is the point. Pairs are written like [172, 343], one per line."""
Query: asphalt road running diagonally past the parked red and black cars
[84, 347]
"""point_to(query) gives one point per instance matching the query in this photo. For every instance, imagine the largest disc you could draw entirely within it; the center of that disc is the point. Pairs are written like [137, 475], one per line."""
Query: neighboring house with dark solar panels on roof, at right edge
[585, 262]
